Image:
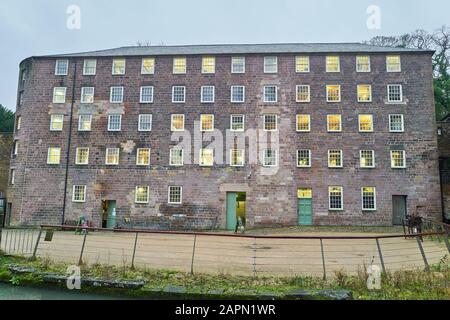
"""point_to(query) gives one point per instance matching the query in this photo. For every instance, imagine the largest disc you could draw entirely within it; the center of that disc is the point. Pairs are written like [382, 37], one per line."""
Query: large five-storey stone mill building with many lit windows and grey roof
[188, 137]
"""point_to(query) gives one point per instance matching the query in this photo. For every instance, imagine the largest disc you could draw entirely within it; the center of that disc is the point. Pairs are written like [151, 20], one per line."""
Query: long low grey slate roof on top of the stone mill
[241, 49]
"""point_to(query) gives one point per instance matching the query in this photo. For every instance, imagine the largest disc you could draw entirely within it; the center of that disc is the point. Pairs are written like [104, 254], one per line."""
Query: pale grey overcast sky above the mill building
[36, 27]
